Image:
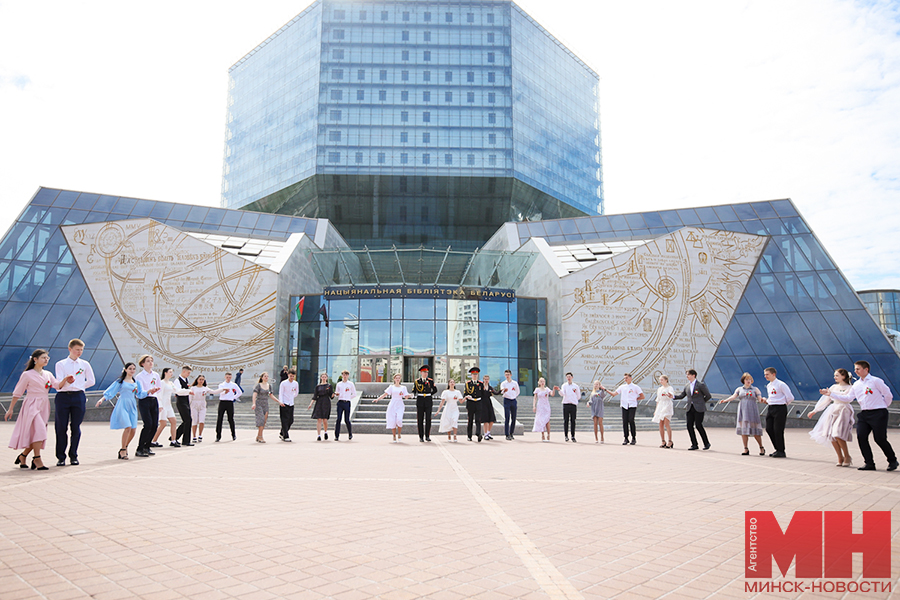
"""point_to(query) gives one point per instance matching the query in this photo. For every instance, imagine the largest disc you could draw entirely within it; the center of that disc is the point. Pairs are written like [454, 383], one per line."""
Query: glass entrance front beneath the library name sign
[373, 339]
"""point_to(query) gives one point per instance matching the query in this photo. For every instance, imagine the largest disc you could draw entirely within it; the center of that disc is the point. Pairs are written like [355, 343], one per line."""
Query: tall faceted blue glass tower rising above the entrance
[433, 123]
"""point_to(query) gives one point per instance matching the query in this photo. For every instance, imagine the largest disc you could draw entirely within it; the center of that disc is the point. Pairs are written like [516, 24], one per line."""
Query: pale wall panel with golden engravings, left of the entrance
[183, 300]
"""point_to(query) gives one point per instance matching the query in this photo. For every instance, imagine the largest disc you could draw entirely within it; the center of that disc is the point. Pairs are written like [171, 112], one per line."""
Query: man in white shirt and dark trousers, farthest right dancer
[873, 397]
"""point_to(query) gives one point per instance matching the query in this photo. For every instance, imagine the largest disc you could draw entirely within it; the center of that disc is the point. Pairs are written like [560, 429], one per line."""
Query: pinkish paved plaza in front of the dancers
[367, 518]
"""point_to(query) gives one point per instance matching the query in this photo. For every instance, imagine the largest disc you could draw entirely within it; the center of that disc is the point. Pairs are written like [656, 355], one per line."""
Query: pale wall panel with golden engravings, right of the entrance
[659, 308]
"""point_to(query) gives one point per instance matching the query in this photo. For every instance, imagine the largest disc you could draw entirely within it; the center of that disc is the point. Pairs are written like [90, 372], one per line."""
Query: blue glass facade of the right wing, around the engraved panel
[798, 313]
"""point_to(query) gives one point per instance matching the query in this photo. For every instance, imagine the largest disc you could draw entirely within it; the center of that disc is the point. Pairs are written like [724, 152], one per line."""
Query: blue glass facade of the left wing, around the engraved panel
[44, 301]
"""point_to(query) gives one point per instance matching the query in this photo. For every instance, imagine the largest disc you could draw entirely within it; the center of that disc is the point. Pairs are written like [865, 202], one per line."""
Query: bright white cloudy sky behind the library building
[701, 103]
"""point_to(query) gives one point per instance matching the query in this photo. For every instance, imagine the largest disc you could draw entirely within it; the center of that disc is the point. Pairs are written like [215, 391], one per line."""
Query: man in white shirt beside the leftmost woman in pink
[70, 401]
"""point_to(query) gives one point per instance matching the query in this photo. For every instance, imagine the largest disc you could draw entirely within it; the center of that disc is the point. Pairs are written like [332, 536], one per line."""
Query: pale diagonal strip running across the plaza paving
[554, 584]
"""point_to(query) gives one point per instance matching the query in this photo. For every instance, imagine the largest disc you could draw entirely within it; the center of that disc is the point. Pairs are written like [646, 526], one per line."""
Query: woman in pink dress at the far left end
[30, 432]
